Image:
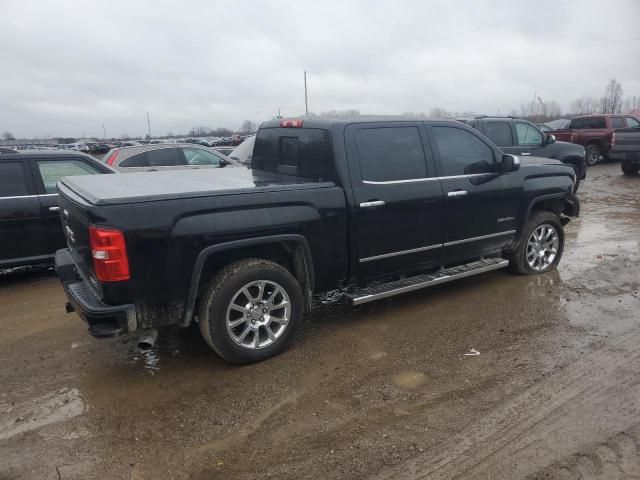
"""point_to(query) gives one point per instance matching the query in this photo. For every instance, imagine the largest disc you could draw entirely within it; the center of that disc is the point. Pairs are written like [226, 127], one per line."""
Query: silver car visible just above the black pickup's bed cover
[152, 158]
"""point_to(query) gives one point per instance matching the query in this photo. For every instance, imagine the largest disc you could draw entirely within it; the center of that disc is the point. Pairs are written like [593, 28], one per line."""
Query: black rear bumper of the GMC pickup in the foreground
[103, 320]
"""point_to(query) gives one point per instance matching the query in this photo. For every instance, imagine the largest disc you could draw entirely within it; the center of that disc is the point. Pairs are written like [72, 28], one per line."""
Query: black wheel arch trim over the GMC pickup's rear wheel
[292, 251]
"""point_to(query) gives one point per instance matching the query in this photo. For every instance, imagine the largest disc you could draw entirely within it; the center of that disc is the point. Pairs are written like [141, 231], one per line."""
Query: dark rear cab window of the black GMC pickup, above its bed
[303, 152]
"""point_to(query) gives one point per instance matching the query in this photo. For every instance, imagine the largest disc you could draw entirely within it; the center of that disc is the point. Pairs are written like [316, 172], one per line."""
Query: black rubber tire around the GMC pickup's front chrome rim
[518, 261]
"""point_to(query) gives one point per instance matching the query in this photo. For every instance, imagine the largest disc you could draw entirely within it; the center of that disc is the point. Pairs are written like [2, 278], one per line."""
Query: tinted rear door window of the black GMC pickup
[390, 154]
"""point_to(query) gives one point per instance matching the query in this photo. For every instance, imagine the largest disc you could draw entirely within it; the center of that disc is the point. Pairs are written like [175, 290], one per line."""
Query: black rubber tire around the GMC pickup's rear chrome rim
[215, 305]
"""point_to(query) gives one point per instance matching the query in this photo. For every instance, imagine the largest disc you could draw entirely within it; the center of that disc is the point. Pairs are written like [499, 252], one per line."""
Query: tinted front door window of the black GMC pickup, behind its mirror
[461, 152]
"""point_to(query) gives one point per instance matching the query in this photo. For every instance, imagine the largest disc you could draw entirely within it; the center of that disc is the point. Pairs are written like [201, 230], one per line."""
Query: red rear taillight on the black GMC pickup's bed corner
[109, 253]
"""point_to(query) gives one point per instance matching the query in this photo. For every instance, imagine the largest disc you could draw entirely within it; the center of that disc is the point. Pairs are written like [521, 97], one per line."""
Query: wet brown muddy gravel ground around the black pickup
[383, 391]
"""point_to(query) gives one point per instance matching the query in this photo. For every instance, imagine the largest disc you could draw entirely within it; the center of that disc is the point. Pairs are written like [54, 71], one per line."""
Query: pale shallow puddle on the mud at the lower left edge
[53, 407]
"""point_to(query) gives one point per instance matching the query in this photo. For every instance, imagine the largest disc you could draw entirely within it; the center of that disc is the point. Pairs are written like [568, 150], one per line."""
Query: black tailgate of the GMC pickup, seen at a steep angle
[74, 215]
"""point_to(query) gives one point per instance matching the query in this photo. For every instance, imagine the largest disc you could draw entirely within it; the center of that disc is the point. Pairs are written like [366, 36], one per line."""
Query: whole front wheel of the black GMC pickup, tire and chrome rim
[541, 247]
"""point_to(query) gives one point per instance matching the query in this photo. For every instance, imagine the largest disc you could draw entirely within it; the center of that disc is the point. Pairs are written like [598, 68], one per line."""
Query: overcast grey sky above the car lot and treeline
[68, 66]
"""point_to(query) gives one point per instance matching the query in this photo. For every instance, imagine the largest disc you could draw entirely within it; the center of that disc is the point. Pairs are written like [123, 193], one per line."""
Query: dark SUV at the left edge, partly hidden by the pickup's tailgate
[30, 230]
